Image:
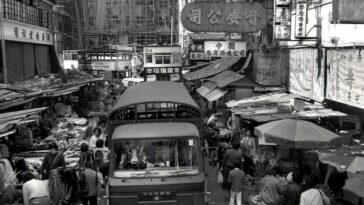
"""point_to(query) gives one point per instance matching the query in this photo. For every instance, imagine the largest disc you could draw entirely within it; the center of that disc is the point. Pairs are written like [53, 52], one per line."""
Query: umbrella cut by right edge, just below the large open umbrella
[345, 158]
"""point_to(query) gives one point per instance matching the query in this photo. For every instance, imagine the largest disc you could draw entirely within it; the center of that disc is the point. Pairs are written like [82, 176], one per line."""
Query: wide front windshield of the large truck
[156, 157]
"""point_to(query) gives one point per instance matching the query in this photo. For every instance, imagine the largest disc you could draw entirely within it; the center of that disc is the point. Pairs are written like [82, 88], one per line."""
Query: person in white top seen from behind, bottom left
[35, 191]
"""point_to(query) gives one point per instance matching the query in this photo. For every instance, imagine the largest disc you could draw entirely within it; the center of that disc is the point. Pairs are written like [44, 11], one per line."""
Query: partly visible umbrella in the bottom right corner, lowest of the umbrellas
[353, 189]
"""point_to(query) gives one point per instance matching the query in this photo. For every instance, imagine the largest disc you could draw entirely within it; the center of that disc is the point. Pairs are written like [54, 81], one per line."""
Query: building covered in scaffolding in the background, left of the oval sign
[129, 21]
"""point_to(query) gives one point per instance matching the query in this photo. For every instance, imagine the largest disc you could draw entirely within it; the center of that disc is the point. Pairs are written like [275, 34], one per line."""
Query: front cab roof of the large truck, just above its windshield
[155, 130]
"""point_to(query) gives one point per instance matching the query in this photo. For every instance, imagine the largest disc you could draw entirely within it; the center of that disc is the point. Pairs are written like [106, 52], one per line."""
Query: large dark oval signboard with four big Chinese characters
[237, 17]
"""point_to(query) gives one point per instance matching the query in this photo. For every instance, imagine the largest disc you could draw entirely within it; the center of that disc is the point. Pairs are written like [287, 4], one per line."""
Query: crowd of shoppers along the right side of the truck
[298, 187]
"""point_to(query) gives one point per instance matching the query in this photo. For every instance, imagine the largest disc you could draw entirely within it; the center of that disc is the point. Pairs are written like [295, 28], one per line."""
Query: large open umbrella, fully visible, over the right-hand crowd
[298, 134]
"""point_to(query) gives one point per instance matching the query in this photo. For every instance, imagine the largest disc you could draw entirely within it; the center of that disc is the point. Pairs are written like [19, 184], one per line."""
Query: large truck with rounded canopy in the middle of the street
[155, 141]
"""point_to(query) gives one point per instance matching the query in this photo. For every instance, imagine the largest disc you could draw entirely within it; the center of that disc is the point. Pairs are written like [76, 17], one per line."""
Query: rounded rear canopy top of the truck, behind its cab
[157, 91]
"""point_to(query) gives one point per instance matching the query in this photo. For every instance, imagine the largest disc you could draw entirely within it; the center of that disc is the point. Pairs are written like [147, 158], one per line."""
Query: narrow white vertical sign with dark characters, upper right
[301, 20]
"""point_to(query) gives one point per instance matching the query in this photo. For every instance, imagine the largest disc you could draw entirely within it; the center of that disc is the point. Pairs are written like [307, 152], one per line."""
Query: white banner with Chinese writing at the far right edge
[345, 77]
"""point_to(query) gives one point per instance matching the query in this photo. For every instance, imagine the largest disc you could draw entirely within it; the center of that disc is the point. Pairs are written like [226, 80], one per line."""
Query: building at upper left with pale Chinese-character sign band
[29, 39]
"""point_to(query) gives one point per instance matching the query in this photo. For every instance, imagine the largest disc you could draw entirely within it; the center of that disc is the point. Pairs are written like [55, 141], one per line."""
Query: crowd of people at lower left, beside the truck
[60, 185]
